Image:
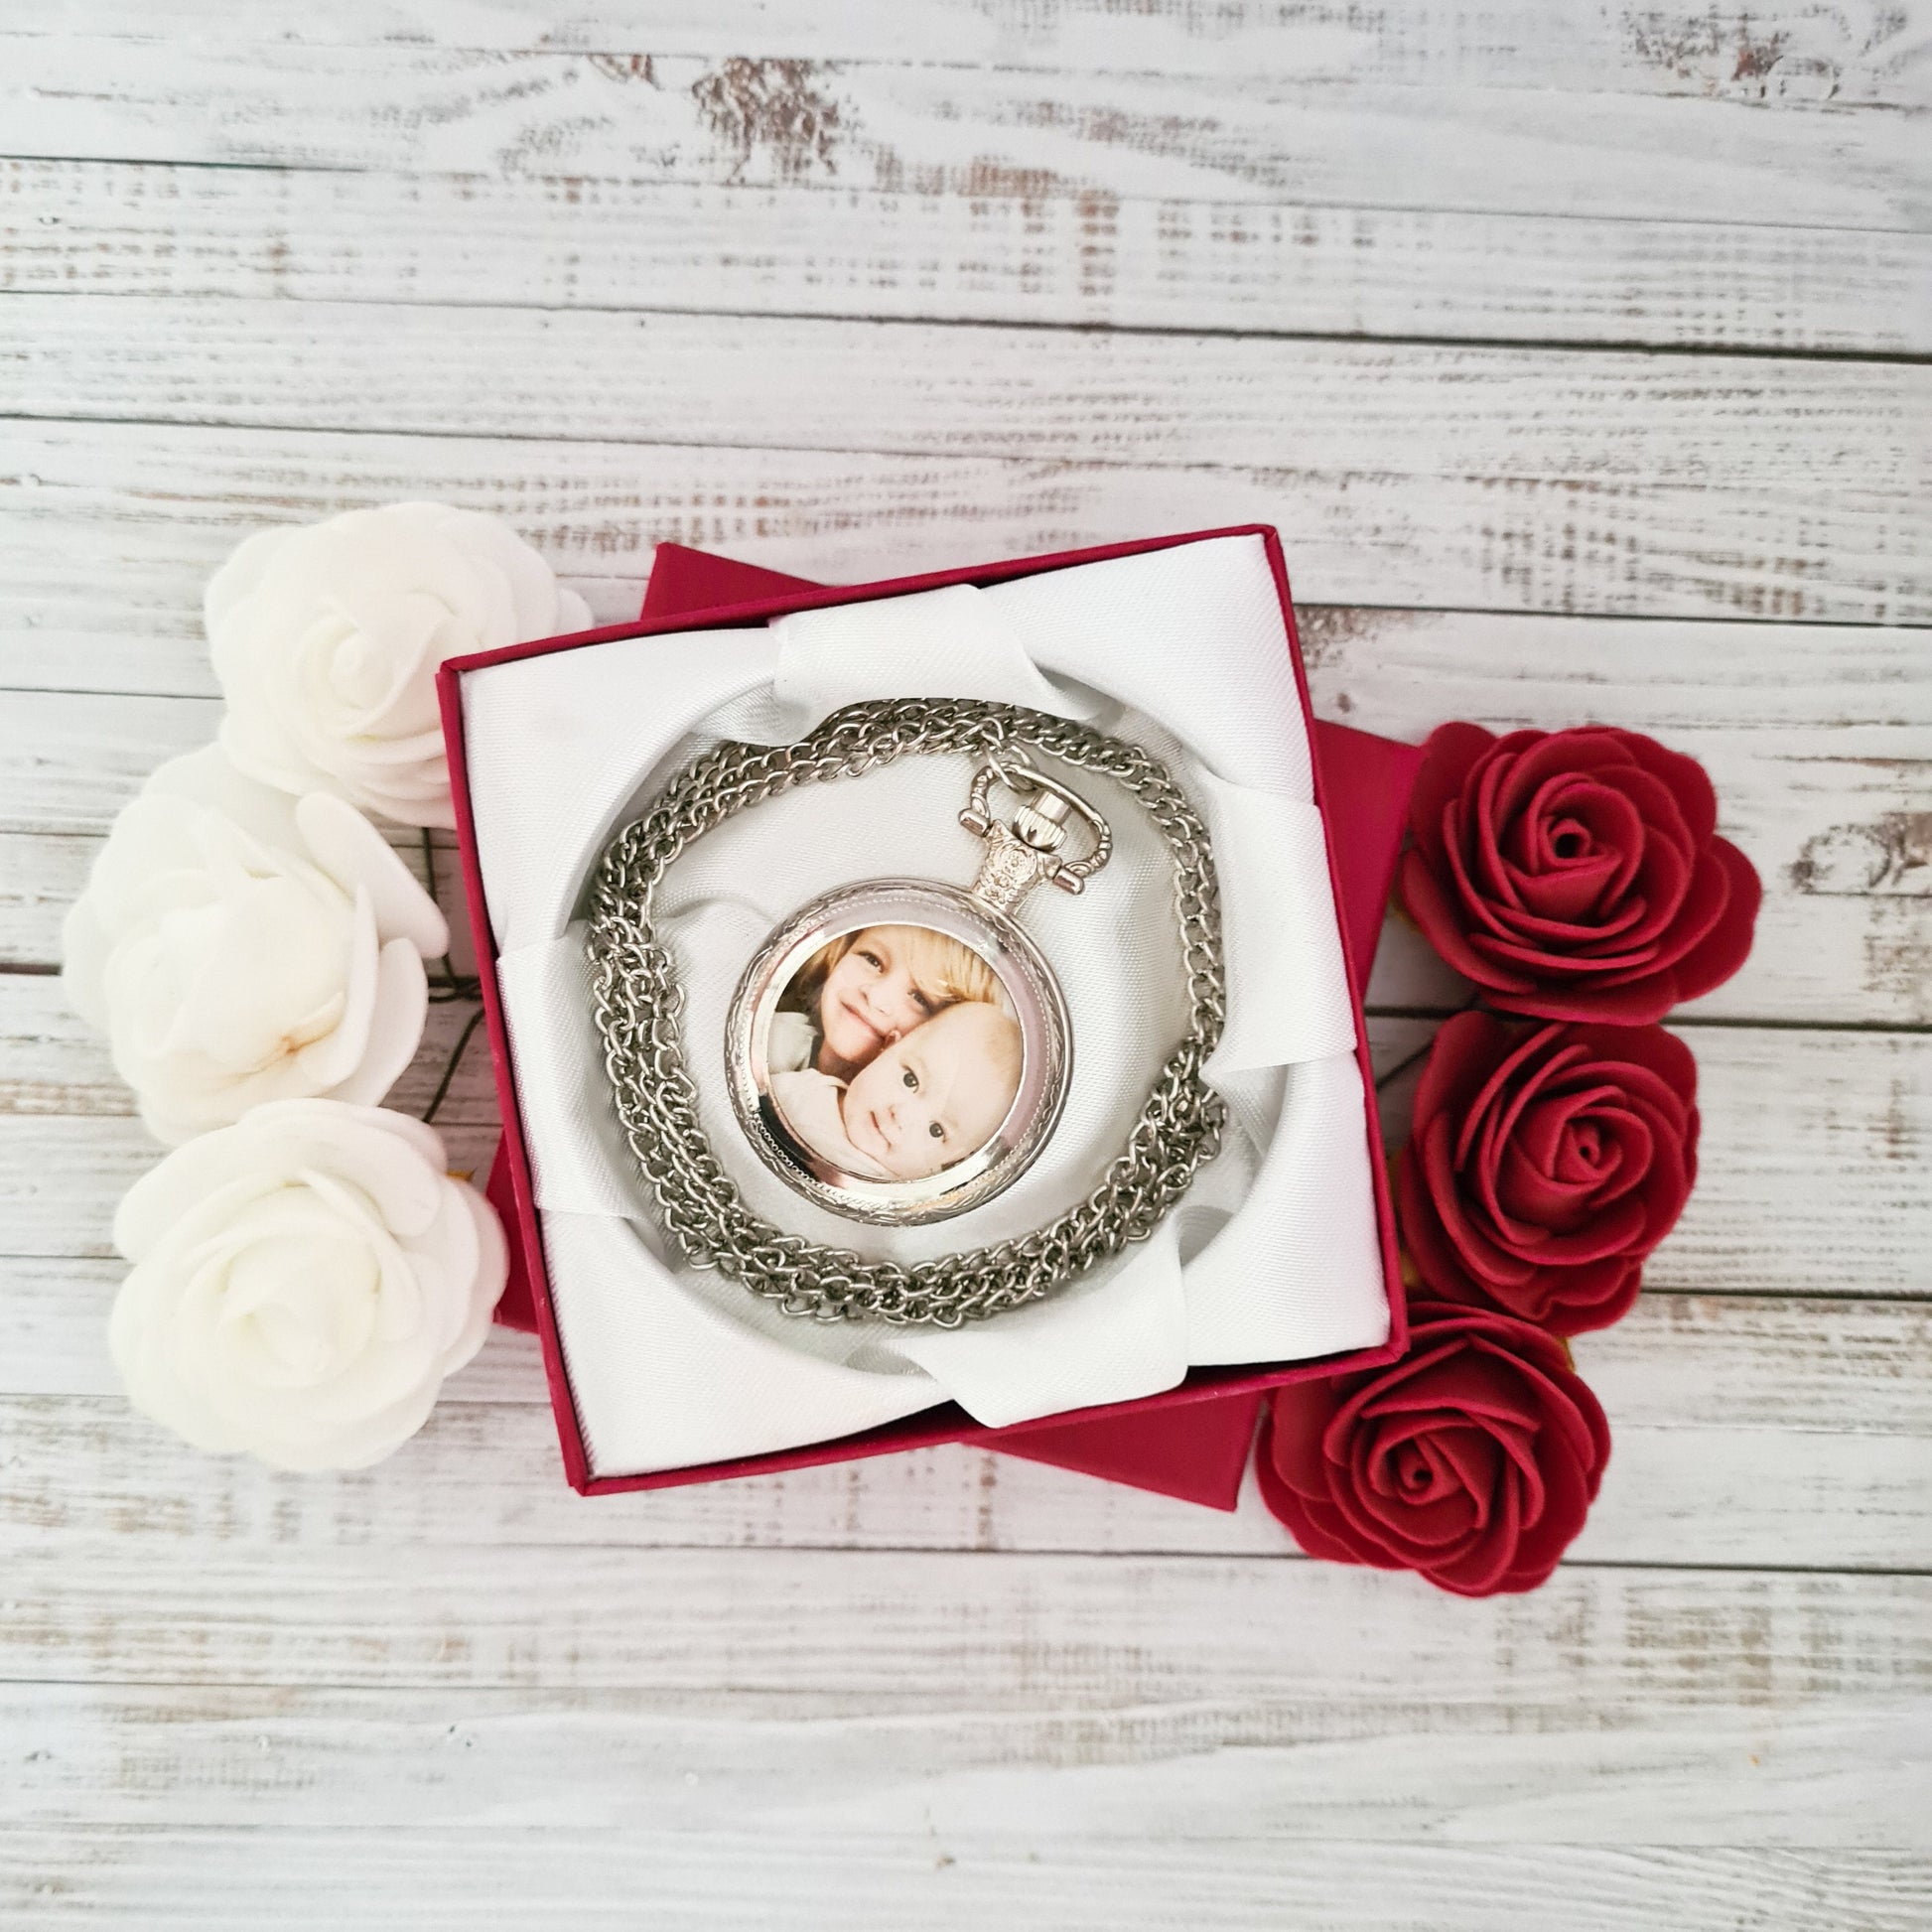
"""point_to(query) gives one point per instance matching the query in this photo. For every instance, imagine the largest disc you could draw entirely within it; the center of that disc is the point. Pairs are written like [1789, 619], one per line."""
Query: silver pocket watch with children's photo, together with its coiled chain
[899, 1050]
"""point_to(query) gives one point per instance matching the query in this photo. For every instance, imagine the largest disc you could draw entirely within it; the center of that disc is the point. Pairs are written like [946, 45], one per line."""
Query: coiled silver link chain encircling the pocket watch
[640, 1011]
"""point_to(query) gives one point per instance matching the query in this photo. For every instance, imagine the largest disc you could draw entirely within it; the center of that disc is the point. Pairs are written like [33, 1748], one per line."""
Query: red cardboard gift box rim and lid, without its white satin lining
[1191, 1440]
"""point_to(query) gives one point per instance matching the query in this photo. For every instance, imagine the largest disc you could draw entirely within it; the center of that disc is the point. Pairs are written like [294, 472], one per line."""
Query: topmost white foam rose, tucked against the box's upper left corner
[327, 642]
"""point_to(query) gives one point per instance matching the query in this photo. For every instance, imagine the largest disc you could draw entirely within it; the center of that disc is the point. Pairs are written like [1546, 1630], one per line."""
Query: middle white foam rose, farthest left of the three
[239, 946]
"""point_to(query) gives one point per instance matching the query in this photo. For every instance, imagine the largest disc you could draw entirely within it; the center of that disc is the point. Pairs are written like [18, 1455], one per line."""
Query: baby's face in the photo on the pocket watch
[932, 1098]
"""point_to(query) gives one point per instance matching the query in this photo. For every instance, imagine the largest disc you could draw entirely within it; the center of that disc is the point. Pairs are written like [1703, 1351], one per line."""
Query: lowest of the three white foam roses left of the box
[302, 1284]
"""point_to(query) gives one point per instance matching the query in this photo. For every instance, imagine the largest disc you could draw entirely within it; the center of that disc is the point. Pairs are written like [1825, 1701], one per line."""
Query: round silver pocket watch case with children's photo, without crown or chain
[897, 1052]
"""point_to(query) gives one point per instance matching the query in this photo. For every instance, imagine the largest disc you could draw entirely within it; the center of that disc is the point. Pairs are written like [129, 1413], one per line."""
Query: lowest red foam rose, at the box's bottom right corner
[1473, 1462]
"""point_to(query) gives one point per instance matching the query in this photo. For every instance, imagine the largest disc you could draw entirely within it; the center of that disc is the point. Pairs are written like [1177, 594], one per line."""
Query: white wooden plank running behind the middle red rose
[1813, 1172]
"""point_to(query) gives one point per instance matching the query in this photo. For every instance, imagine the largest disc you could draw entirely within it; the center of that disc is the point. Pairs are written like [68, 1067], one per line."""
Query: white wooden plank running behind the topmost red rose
[1817, 739]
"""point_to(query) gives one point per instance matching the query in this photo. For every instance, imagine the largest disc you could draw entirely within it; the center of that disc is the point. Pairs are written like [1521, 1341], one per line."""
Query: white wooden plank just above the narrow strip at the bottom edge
[1829, 1775]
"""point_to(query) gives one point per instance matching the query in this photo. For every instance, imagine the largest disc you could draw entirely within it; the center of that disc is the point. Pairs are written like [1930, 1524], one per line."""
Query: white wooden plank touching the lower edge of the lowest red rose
[832, 1634]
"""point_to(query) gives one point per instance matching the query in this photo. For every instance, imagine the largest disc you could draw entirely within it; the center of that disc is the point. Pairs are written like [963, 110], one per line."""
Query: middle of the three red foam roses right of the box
[1545, 1164]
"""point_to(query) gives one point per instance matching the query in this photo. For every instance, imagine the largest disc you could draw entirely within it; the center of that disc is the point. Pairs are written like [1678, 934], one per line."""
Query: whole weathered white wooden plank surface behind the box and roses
[696, 271]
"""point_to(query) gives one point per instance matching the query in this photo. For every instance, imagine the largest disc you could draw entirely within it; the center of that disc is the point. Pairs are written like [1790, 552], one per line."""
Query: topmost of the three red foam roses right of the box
[1576, 874]
